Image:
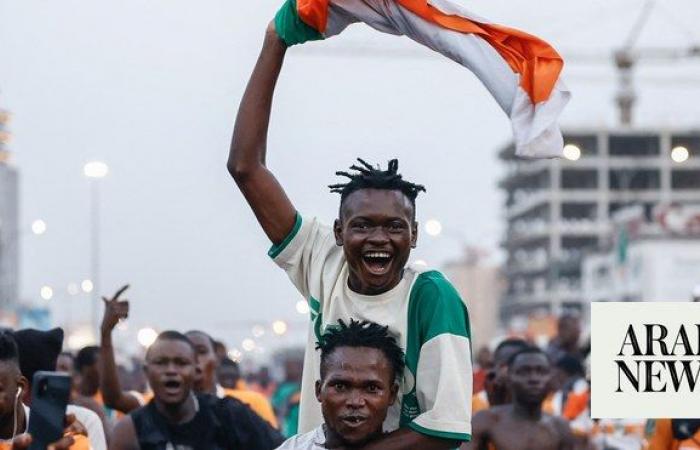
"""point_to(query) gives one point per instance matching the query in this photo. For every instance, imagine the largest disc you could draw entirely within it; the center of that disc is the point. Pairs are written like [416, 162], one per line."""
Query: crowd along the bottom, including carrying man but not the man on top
[525, 397]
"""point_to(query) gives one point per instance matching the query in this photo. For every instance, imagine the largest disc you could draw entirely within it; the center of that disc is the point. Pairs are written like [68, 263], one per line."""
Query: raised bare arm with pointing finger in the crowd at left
[112, 393]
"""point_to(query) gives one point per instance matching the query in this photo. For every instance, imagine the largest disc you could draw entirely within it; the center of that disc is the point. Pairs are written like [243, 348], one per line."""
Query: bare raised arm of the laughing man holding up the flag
[246, 162]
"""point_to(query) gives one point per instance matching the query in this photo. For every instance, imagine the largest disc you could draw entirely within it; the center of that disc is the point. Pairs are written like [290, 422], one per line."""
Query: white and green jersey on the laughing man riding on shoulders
[424, 313]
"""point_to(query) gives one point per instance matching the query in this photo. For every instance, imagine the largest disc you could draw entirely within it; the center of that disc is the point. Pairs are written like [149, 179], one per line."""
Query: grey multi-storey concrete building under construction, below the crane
[558, 210]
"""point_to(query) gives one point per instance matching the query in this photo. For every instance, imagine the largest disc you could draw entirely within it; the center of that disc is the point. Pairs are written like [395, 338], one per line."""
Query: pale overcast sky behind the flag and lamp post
[152, 88]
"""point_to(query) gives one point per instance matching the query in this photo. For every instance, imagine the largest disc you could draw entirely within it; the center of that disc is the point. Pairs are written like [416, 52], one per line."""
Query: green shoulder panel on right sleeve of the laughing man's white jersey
[438, 308]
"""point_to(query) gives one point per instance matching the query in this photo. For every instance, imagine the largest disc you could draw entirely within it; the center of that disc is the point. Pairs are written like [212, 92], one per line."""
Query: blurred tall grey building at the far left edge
[9, 231]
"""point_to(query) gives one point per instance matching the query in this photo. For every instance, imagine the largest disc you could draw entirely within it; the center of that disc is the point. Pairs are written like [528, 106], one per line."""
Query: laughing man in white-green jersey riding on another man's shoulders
[358, 269]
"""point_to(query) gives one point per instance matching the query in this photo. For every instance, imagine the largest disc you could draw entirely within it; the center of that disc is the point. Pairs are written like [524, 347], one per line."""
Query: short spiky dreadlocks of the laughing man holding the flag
[365, 176]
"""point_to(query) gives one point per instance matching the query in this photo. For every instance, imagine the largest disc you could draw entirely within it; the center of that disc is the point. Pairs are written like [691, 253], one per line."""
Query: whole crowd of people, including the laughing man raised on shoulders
[388, 362]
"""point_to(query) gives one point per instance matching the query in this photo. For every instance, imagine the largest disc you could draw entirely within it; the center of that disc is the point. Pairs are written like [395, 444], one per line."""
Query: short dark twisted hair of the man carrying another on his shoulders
[362, 334]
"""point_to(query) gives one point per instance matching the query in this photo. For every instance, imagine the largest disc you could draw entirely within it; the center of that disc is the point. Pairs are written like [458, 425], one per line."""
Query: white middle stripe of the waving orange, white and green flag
[535, 127]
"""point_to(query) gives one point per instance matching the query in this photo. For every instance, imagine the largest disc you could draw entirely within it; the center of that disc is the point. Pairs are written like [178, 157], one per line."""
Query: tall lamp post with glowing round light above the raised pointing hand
[95, 171]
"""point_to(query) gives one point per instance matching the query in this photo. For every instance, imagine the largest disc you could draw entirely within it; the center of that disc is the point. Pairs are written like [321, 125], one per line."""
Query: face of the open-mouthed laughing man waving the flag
[377, 231]
